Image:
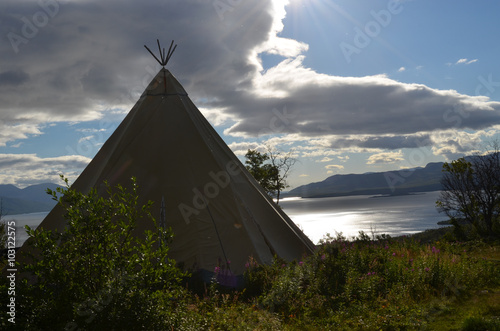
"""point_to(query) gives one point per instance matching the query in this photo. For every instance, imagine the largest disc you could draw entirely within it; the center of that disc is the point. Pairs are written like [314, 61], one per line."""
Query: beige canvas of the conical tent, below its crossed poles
[215, 208]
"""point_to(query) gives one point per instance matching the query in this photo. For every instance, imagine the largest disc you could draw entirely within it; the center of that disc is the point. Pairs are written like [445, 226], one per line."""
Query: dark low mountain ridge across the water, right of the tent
[389, 182]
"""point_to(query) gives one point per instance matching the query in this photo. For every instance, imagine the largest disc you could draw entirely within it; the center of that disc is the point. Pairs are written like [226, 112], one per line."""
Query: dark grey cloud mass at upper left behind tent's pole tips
[92, 52]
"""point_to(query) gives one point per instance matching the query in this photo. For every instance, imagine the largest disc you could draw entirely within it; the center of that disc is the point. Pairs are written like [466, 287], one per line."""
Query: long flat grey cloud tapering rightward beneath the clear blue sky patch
[368, 105]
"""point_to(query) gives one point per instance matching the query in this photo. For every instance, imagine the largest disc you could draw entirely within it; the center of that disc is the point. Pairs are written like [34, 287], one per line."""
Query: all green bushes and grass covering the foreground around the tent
[362, 283]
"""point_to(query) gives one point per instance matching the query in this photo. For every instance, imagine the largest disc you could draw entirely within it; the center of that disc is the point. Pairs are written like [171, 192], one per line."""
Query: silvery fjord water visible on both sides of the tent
[393, 215]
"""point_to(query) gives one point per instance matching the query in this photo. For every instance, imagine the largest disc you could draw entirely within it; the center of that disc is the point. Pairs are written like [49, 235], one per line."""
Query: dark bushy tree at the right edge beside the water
[471, 193]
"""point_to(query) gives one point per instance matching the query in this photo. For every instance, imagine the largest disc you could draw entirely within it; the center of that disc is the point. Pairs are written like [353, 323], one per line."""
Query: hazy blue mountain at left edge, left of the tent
[31, 199]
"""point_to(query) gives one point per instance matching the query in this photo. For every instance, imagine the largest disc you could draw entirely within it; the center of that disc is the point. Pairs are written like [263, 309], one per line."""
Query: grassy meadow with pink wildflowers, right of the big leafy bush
[362, 284]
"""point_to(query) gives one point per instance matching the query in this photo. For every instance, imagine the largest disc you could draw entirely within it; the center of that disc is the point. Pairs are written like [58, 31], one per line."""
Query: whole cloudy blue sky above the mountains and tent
[346, 86]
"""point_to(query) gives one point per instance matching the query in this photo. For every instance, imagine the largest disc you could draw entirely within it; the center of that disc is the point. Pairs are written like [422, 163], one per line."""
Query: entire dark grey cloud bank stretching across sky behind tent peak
[89, 55]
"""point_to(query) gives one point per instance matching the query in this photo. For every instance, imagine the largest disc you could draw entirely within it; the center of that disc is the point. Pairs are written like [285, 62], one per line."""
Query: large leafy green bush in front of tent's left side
[99, 273]
